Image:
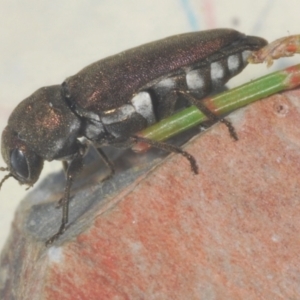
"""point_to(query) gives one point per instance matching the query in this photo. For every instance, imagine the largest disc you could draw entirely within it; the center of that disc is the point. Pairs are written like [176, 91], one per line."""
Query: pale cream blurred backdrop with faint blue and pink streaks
[43, 42]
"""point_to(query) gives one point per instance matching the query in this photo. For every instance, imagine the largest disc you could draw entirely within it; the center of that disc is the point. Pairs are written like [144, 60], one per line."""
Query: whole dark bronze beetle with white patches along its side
[110, 100]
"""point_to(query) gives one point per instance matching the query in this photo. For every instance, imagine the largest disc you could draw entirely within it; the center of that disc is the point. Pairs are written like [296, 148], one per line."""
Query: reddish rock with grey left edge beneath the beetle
[157, 231]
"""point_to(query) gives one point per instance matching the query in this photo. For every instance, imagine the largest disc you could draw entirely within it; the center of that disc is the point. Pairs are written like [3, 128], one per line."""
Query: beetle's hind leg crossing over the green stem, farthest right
[209, 114]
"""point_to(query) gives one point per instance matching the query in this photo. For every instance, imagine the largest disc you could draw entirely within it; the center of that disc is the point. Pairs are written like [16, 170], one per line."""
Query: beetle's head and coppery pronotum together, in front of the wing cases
[42, 127]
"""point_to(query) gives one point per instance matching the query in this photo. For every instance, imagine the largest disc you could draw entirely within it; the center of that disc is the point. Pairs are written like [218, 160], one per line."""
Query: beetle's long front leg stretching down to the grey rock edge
[72, 169]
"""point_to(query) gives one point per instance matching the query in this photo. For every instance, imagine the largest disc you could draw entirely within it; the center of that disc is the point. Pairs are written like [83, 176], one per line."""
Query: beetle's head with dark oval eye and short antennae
[22, 163]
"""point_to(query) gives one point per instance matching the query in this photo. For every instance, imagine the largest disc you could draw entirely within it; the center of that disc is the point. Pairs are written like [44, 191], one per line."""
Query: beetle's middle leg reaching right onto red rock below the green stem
[169, 148]
